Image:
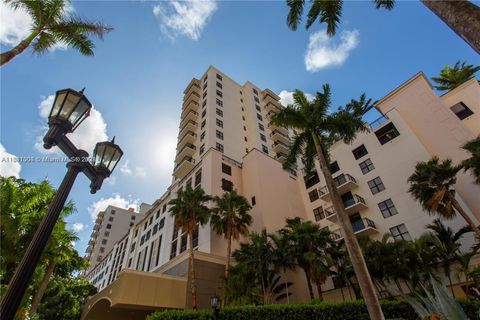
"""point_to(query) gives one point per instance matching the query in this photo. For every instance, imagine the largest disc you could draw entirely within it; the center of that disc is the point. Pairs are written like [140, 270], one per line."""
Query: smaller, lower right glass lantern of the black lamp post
[106, 156]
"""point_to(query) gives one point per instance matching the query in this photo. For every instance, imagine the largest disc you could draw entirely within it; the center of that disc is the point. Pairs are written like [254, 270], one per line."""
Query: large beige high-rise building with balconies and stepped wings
[226, 141]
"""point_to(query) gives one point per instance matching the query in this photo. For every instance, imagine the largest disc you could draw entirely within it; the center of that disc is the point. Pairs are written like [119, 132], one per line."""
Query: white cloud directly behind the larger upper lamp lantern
[91, 131]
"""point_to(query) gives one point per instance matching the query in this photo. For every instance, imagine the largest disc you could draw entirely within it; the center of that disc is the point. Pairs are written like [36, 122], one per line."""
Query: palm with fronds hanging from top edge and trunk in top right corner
[460, 16]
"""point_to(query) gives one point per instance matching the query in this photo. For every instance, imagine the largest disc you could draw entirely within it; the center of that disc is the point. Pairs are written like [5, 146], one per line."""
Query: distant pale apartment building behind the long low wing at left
[110, 226]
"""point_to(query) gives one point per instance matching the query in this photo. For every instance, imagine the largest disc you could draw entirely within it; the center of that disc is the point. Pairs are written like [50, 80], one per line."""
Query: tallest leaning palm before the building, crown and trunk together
[317, 130]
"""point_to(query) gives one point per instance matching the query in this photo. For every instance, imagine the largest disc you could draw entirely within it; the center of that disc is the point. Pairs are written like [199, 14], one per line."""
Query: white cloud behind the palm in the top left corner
[16, 25]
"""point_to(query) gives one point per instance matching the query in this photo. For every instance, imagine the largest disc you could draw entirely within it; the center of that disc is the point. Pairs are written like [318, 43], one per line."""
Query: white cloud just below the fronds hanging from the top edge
[324, 51]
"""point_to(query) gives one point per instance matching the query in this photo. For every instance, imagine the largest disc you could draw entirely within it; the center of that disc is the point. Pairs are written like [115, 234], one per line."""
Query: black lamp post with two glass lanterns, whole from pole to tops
[69, 110]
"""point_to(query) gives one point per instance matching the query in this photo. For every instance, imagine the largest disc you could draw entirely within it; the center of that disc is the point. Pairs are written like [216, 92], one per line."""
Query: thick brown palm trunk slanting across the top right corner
[463, 17]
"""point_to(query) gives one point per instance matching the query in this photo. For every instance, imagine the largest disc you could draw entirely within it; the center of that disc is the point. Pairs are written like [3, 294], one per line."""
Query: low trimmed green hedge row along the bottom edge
[355, 310]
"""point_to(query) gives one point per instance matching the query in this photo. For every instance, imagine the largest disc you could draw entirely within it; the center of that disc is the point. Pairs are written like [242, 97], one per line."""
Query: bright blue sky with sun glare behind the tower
[138, 74]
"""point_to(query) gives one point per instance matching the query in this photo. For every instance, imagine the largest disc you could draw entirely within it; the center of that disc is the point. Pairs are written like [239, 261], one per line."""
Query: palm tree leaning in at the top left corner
[51, 26]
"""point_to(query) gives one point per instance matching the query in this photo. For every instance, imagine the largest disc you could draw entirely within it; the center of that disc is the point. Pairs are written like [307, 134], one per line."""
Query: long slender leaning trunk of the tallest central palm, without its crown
[358, 262]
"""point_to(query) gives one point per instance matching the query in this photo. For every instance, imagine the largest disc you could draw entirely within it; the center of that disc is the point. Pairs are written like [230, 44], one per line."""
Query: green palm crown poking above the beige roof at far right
[452, 77]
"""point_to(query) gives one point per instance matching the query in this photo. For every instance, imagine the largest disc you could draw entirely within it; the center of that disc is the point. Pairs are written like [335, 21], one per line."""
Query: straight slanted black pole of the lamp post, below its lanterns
[23, 274]
